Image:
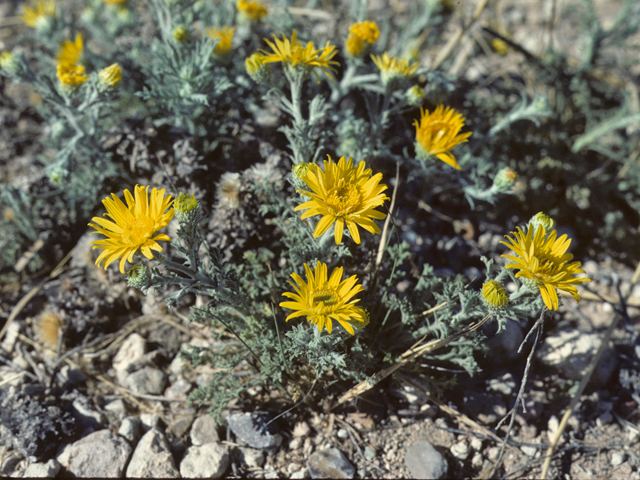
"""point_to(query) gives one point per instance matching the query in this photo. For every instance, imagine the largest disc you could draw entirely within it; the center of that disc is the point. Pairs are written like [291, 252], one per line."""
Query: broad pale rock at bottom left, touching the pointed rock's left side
[100, 454]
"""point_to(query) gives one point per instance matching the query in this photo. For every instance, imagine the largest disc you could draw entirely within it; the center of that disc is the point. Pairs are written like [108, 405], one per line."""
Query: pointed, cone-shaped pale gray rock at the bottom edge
[152, 458]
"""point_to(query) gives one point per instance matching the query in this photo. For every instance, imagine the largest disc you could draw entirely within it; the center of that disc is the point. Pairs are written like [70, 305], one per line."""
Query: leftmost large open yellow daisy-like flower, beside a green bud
[134, 225]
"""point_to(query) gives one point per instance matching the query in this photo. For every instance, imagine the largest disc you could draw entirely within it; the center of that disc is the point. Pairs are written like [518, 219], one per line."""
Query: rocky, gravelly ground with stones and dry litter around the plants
[125, 410]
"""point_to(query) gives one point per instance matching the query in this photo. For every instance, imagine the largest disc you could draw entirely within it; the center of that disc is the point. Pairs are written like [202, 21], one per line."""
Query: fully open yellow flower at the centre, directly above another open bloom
[343, 194]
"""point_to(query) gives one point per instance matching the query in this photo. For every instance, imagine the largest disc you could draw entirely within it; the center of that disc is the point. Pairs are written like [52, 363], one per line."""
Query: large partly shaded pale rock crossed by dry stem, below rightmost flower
[571, 350]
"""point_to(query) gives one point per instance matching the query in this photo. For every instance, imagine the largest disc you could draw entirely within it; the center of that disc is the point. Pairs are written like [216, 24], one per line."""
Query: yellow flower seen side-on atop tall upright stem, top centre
[291, 53]
